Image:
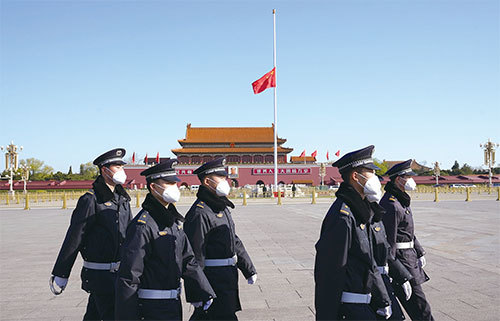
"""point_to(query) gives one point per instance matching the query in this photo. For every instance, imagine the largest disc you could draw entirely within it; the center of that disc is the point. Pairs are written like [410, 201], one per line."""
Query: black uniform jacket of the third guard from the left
[211, 231]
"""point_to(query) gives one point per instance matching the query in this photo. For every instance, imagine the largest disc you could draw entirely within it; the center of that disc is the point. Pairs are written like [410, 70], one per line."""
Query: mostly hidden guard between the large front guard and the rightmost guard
[391, 269]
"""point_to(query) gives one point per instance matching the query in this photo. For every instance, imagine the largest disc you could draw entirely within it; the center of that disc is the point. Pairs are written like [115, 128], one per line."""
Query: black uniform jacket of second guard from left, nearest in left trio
[155, 255]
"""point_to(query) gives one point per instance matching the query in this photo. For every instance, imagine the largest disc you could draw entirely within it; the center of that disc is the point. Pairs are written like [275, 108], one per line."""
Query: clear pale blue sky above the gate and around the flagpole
[417, 79]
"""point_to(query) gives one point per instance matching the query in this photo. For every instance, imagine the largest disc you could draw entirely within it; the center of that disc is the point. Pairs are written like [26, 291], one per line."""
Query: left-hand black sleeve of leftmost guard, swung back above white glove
[80, 219]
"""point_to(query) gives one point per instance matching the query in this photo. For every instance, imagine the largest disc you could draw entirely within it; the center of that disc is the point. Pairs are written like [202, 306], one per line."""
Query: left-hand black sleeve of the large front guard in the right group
[330, 266]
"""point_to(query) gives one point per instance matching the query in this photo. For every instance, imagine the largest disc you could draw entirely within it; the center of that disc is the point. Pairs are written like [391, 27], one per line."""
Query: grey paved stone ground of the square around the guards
[462, 240]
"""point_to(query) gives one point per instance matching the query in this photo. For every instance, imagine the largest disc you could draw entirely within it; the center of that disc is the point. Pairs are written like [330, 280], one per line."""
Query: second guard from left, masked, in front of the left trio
[157, 254]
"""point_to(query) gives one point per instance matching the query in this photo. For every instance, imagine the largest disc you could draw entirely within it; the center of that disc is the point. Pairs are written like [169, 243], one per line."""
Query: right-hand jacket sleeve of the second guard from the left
[194, 278]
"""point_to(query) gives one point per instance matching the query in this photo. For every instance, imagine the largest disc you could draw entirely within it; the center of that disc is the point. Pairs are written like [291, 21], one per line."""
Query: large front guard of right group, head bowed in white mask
[347, 280]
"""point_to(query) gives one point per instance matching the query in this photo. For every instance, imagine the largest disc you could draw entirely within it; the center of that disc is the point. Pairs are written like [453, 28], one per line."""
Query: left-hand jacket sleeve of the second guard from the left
[134, 251]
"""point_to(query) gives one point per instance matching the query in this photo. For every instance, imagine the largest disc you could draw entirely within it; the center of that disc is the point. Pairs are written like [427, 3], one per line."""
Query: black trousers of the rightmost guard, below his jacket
[417, 307]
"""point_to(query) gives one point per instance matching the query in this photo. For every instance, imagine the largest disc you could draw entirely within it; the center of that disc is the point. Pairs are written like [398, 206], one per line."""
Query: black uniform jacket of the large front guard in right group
[344, 256]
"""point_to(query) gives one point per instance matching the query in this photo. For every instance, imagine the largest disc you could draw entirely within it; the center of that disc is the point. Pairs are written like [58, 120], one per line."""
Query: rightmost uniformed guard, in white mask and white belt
[399, 227]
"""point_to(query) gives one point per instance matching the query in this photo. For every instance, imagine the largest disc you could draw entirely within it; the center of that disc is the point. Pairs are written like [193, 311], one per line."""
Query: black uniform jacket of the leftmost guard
[97, 230]
